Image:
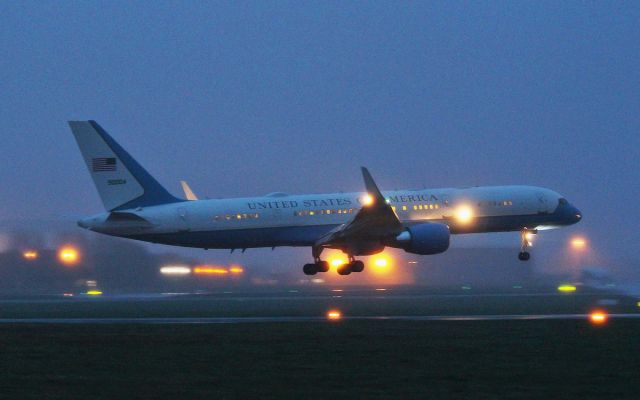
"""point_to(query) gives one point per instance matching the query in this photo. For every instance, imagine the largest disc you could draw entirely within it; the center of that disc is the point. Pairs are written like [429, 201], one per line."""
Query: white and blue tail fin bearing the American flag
[122, 183]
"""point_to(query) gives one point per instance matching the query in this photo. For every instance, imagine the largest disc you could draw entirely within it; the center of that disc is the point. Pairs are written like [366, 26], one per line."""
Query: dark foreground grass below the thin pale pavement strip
[567, 359]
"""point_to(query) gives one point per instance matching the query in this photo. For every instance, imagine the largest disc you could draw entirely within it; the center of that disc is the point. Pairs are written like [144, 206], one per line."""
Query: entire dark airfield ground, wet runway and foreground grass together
[319, 359]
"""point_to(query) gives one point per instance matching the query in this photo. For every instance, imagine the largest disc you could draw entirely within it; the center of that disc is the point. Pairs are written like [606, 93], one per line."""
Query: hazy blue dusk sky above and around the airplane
[247, 98]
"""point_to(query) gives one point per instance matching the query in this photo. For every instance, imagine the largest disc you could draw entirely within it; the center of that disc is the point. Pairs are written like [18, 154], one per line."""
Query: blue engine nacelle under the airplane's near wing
[424, 239]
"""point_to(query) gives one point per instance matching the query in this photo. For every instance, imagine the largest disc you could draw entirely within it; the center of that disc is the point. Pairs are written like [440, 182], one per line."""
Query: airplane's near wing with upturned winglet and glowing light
[375, 221]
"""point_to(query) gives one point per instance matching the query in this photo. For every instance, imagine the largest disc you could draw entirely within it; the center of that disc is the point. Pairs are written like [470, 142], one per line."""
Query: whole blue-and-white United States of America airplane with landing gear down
[359, 223]
